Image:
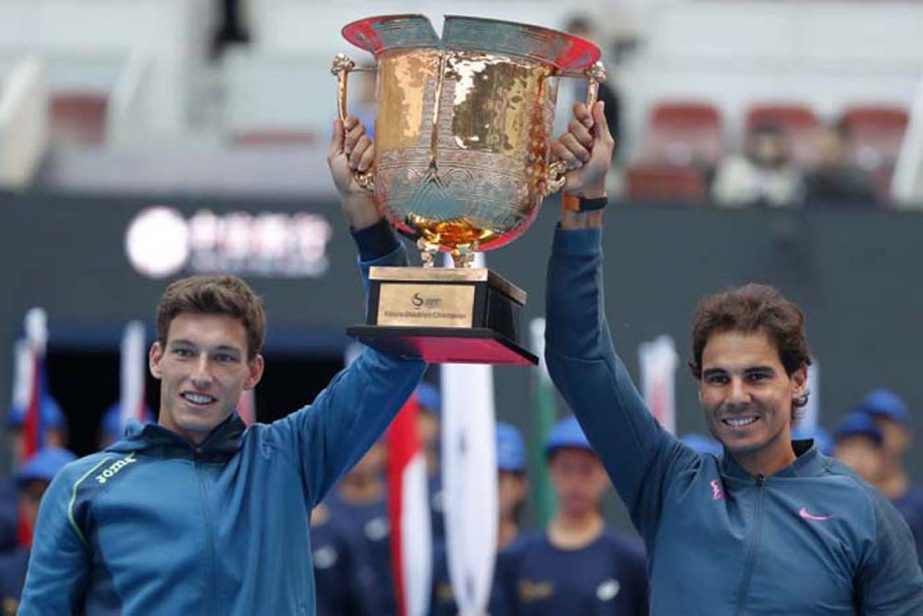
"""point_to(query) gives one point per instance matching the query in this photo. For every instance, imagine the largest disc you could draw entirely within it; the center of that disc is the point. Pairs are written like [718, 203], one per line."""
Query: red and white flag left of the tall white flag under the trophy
[408, 513]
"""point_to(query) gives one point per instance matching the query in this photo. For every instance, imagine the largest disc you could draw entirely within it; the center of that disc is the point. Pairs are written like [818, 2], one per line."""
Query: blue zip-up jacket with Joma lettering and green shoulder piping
[153, 525]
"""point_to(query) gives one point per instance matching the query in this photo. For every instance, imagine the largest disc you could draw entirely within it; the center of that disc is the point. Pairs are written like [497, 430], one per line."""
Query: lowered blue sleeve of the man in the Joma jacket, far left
[59, 562]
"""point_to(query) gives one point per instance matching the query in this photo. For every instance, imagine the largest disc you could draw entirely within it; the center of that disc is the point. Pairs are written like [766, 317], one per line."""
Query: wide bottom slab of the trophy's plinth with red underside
[442, 345]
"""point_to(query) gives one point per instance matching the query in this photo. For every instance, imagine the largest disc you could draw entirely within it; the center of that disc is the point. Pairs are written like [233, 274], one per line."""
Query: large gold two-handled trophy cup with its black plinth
[462, 163]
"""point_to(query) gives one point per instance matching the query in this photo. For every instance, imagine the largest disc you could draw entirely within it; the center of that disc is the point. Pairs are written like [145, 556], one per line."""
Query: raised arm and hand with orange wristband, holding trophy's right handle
[638, 454]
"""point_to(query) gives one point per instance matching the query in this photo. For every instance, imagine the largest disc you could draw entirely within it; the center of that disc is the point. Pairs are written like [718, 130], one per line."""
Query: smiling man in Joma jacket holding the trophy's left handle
[199, 514]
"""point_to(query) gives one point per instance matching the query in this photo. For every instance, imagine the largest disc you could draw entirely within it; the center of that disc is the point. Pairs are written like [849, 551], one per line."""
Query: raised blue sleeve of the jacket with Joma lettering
[328, 437]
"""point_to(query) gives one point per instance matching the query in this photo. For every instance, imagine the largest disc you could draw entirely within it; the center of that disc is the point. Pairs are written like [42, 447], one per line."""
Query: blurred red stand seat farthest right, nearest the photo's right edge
[876, 133]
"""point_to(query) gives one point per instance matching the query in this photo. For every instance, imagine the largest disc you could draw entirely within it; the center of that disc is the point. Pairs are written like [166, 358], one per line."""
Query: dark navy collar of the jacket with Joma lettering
[222, 442]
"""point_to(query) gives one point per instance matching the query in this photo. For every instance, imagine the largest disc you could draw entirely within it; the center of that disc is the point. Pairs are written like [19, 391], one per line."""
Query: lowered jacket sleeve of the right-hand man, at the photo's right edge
[890, 580]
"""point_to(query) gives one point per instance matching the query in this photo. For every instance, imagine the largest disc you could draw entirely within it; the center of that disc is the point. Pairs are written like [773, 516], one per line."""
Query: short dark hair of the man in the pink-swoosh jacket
[753, 308]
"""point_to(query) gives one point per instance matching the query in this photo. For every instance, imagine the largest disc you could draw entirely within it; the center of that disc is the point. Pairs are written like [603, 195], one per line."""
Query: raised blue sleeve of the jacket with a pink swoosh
[639, 455]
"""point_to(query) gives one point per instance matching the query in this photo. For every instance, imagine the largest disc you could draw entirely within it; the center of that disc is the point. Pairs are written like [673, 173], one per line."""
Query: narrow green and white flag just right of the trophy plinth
[544, 415]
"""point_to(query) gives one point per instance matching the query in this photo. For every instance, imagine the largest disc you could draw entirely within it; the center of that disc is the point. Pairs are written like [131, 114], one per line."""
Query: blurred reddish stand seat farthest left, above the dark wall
[78, 117]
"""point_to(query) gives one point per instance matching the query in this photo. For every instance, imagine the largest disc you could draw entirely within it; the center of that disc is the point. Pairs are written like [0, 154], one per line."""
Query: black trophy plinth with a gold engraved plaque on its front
[463, 315]
